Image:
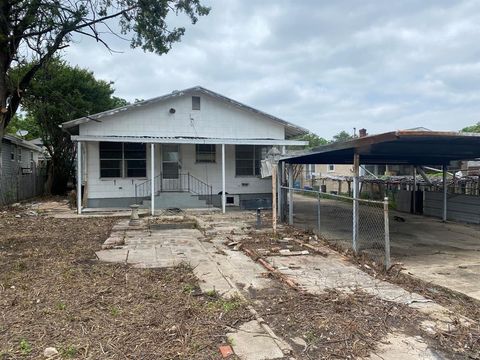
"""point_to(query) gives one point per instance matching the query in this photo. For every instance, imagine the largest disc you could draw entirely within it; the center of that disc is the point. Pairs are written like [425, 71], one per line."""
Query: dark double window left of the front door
[123, 160]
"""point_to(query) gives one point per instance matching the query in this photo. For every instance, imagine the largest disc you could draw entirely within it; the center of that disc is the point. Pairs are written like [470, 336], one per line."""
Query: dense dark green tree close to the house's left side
[58, 93]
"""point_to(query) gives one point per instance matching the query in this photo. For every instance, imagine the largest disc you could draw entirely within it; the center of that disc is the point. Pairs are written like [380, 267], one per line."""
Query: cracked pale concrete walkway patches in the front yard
[231, 272]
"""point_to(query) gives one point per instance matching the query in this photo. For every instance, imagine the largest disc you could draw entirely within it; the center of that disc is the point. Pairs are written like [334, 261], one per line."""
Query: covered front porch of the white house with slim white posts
[194, 171]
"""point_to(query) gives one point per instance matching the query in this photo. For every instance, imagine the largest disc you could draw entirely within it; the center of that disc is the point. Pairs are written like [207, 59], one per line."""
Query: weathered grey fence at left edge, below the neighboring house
[18, 187]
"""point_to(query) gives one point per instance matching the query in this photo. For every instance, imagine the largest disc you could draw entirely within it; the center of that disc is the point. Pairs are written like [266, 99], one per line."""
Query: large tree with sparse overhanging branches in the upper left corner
[33, 31]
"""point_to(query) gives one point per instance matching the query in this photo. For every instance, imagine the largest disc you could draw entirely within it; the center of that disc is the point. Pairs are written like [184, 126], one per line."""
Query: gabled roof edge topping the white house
[291, 130]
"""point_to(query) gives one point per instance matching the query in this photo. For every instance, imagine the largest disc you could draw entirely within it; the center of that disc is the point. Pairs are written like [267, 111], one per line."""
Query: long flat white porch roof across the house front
[186, 140]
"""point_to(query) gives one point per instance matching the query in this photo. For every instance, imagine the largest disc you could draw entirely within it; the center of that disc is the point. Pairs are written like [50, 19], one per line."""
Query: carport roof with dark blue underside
[397, 147]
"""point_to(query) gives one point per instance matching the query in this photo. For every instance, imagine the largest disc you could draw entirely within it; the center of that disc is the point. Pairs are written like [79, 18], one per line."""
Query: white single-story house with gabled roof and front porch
[195, 144]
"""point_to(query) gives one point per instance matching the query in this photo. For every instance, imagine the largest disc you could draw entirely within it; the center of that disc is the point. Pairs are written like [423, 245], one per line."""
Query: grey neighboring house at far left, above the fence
[18, 156]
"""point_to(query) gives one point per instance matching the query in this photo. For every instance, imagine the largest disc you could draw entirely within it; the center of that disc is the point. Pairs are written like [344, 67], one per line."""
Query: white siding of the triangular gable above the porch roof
[215, 120]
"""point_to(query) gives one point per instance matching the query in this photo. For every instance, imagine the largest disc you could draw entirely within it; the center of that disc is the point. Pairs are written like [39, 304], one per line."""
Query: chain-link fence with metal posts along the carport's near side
[348, 223]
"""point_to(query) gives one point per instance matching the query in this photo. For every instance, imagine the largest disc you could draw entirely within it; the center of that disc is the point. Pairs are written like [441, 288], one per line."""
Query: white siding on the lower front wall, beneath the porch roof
[210, 173]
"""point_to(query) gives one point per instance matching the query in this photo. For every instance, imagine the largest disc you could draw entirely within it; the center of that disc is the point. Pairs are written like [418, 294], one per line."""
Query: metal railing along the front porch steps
[184, 182]
